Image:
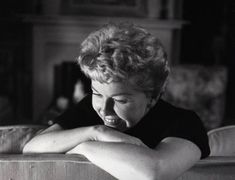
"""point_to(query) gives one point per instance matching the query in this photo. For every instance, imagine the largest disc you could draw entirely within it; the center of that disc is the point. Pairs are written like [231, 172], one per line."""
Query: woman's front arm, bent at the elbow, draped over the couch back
[123, 160]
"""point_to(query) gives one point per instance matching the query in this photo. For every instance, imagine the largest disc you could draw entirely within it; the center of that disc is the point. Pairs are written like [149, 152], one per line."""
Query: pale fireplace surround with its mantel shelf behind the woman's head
[57, 38]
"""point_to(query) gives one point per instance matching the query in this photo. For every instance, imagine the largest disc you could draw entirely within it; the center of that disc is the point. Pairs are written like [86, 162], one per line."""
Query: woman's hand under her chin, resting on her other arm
[106, 134]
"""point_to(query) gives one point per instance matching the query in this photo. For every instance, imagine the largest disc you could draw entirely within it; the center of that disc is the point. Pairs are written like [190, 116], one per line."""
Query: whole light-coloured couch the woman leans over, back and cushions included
[17, 166]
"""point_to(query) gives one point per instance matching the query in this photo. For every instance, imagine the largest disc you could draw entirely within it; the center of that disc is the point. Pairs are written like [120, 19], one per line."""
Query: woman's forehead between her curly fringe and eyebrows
[113, 88]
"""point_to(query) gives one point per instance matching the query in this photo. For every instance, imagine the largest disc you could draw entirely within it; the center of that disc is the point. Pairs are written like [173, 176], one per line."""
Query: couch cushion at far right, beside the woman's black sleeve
[222, 141]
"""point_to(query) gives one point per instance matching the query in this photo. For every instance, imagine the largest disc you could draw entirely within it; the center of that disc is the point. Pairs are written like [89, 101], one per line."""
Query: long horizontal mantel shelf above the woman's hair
[97, 21]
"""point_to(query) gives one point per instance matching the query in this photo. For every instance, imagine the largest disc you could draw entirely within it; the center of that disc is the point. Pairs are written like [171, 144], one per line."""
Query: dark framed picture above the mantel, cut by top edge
[135, 8]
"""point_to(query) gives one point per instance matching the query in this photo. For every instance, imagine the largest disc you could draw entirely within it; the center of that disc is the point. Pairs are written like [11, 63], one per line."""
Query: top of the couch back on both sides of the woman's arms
[71, 167]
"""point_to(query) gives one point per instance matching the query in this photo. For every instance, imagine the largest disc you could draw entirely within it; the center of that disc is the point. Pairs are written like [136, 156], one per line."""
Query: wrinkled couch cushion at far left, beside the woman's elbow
[13, 138]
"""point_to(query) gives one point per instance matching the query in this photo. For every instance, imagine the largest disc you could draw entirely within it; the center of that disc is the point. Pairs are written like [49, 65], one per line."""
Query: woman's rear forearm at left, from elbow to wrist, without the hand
[56, 140]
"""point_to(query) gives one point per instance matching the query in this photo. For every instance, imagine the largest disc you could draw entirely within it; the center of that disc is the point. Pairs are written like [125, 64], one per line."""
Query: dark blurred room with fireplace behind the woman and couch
[39, 42]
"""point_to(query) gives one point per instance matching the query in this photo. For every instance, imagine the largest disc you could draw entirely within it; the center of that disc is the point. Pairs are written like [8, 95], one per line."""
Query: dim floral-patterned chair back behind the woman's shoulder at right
[201, 89]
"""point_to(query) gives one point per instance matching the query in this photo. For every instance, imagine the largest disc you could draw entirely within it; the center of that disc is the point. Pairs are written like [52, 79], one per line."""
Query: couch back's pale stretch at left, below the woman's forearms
[49, 167]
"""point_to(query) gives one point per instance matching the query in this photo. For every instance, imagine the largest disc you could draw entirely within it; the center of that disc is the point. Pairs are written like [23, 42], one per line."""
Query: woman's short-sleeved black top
[163, 120]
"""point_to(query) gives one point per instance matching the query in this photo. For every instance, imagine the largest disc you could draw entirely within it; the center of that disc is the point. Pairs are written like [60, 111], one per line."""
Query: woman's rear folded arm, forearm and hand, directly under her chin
[57, 140]
